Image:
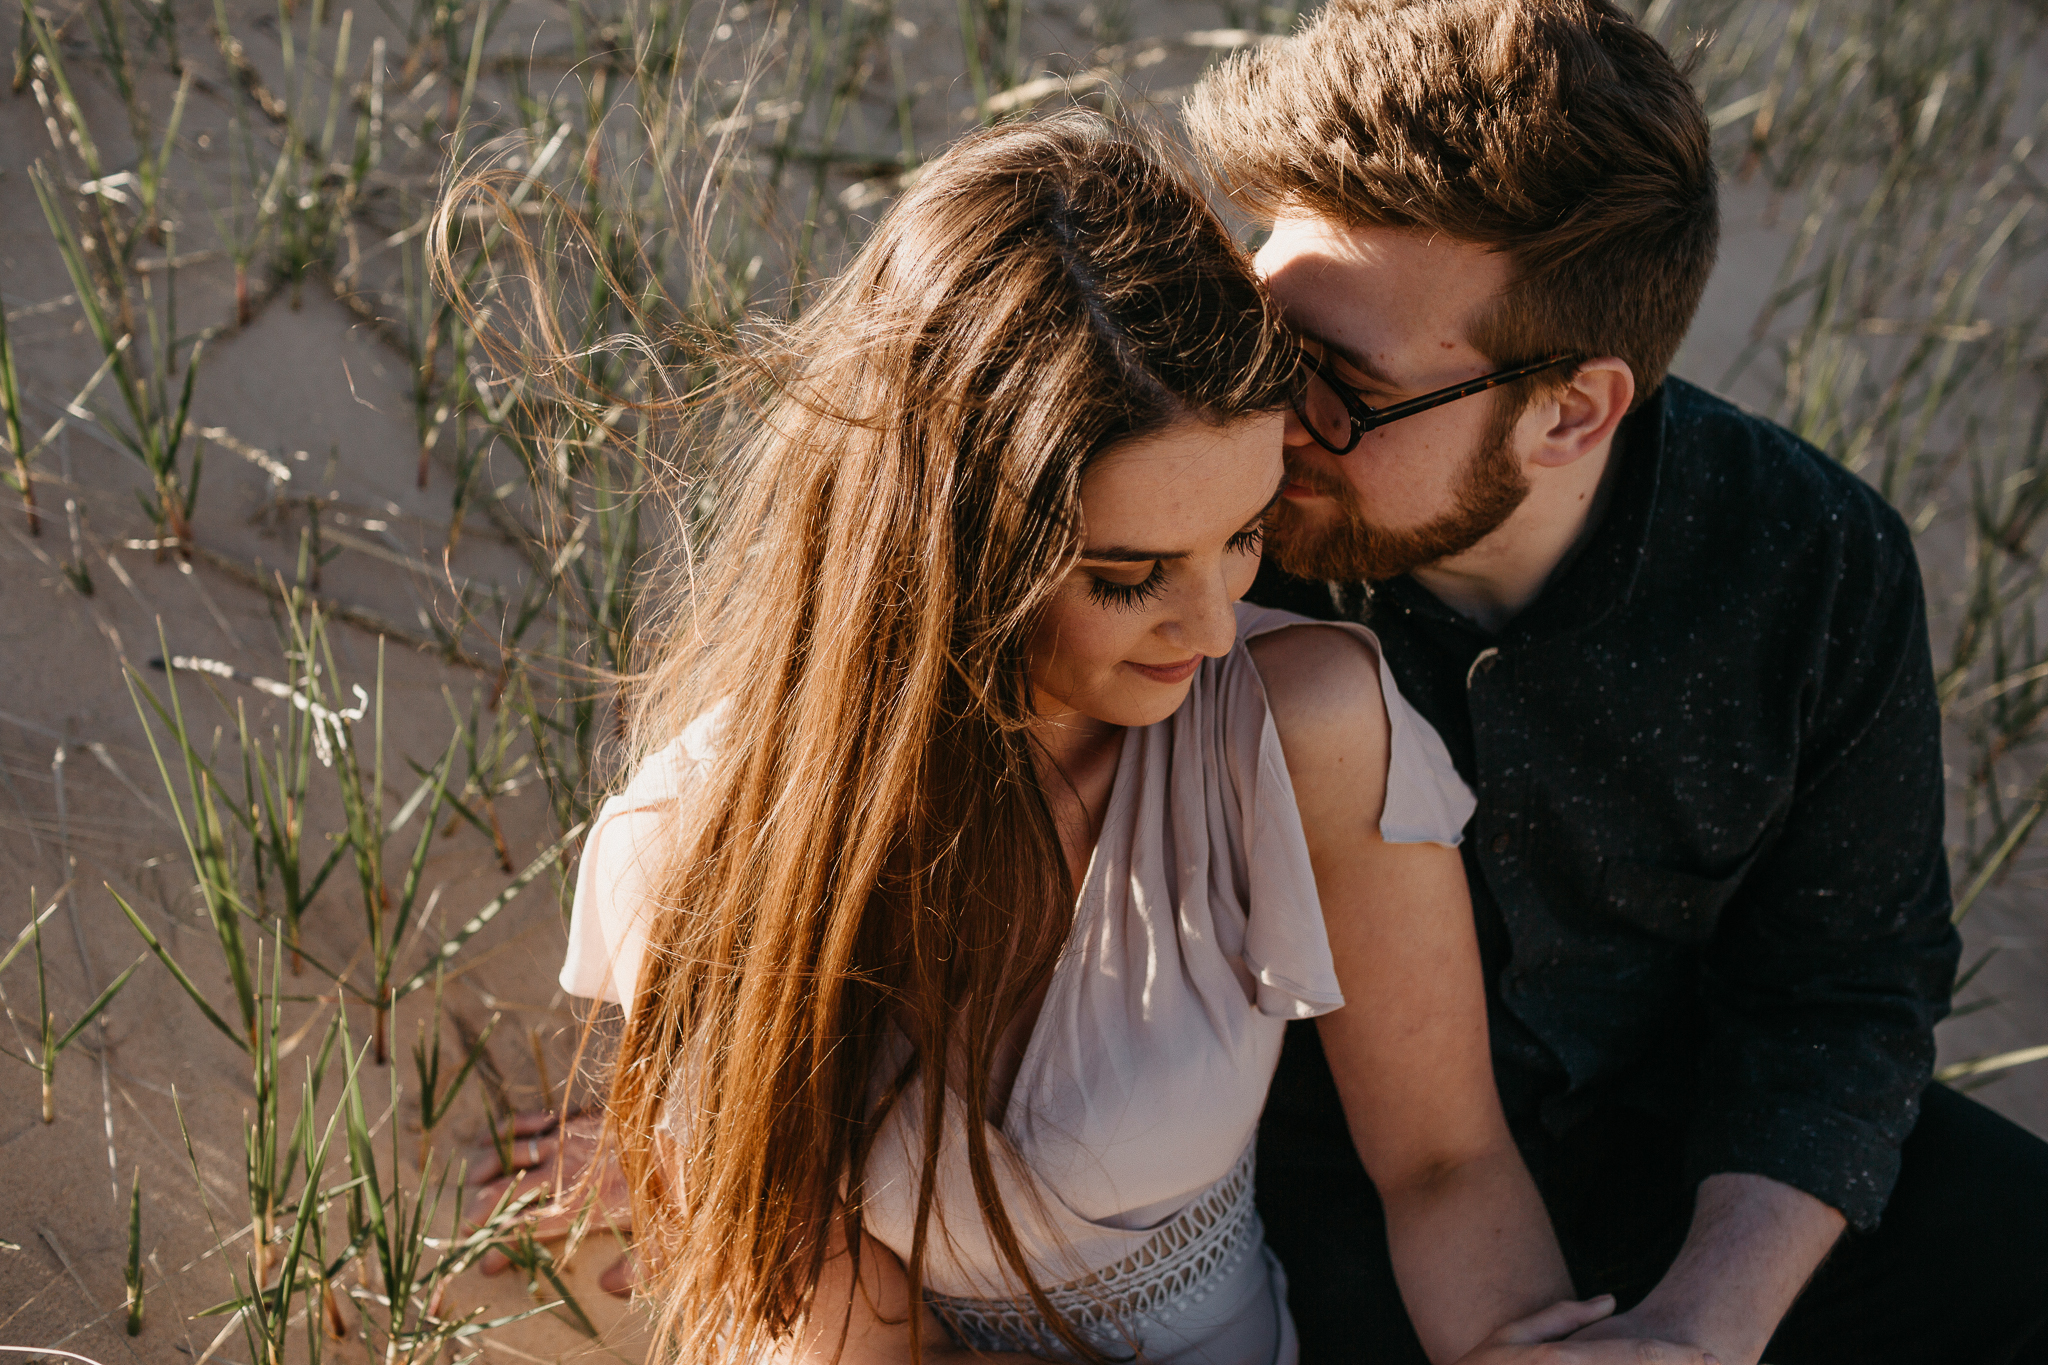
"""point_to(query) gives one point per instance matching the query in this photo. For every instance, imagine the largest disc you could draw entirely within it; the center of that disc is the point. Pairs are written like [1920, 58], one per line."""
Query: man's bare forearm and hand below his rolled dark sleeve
[1752, 1247]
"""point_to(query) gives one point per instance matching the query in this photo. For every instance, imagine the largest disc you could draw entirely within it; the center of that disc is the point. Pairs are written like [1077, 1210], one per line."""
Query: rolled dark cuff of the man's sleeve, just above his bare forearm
[1842, 1161]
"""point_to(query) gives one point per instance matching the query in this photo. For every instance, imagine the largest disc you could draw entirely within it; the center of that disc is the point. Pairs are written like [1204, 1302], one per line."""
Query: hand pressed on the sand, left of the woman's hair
[542, 1157]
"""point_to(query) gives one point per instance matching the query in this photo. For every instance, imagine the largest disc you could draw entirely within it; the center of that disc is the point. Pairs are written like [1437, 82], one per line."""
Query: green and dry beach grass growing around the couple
[665, 177]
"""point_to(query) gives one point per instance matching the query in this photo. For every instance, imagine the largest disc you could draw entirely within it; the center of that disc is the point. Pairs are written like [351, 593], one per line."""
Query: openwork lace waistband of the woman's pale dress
[1179, 1266]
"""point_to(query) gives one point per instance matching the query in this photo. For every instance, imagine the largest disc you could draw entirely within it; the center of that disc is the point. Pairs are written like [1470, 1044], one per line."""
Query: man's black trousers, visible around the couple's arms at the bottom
[1957, 1274]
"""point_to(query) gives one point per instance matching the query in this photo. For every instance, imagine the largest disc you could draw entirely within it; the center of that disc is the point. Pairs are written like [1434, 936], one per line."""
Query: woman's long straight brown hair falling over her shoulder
[871, 854]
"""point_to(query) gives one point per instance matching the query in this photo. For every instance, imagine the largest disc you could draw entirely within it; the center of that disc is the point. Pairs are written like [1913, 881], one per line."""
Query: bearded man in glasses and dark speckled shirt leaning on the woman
[1682, 660]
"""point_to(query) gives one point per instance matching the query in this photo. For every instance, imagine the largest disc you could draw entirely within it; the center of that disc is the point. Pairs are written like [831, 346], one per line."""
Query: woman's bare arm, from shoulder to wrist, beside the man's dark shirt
[1471, 1243]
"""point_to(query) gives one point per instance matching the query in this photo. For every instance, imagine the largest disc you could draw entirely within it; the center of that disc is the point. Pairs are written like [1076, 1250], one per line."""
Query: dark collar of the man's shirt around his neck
[1607, 566]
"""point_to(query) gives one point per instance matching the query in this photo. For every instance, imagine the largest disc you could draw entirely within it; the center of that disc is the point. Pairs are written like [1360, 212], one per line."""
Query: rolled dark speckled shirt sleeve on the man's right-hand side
[1836, 957]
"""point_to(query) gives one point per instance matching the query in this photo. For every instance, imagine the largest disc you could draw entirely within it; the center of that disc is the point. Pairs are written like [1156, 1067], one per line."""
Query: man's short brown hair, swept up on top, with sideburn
[1555, 132]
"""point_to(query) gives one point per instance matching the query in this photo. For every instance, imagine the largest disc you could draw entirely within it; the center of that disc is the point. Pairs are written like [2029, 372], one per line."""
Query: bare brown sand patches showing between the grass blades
[316, 388]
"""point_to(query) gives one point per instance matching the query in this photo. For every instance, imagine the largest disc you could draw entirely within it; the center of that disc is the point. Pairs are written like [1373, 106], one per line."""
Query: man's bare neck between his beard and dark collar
[1498, 578]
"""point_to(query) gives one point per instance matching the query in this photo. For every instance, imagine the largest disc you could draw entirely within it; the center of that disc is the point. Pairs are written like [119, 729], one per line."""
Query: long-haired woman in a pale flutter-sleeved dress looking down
[982, 848]
